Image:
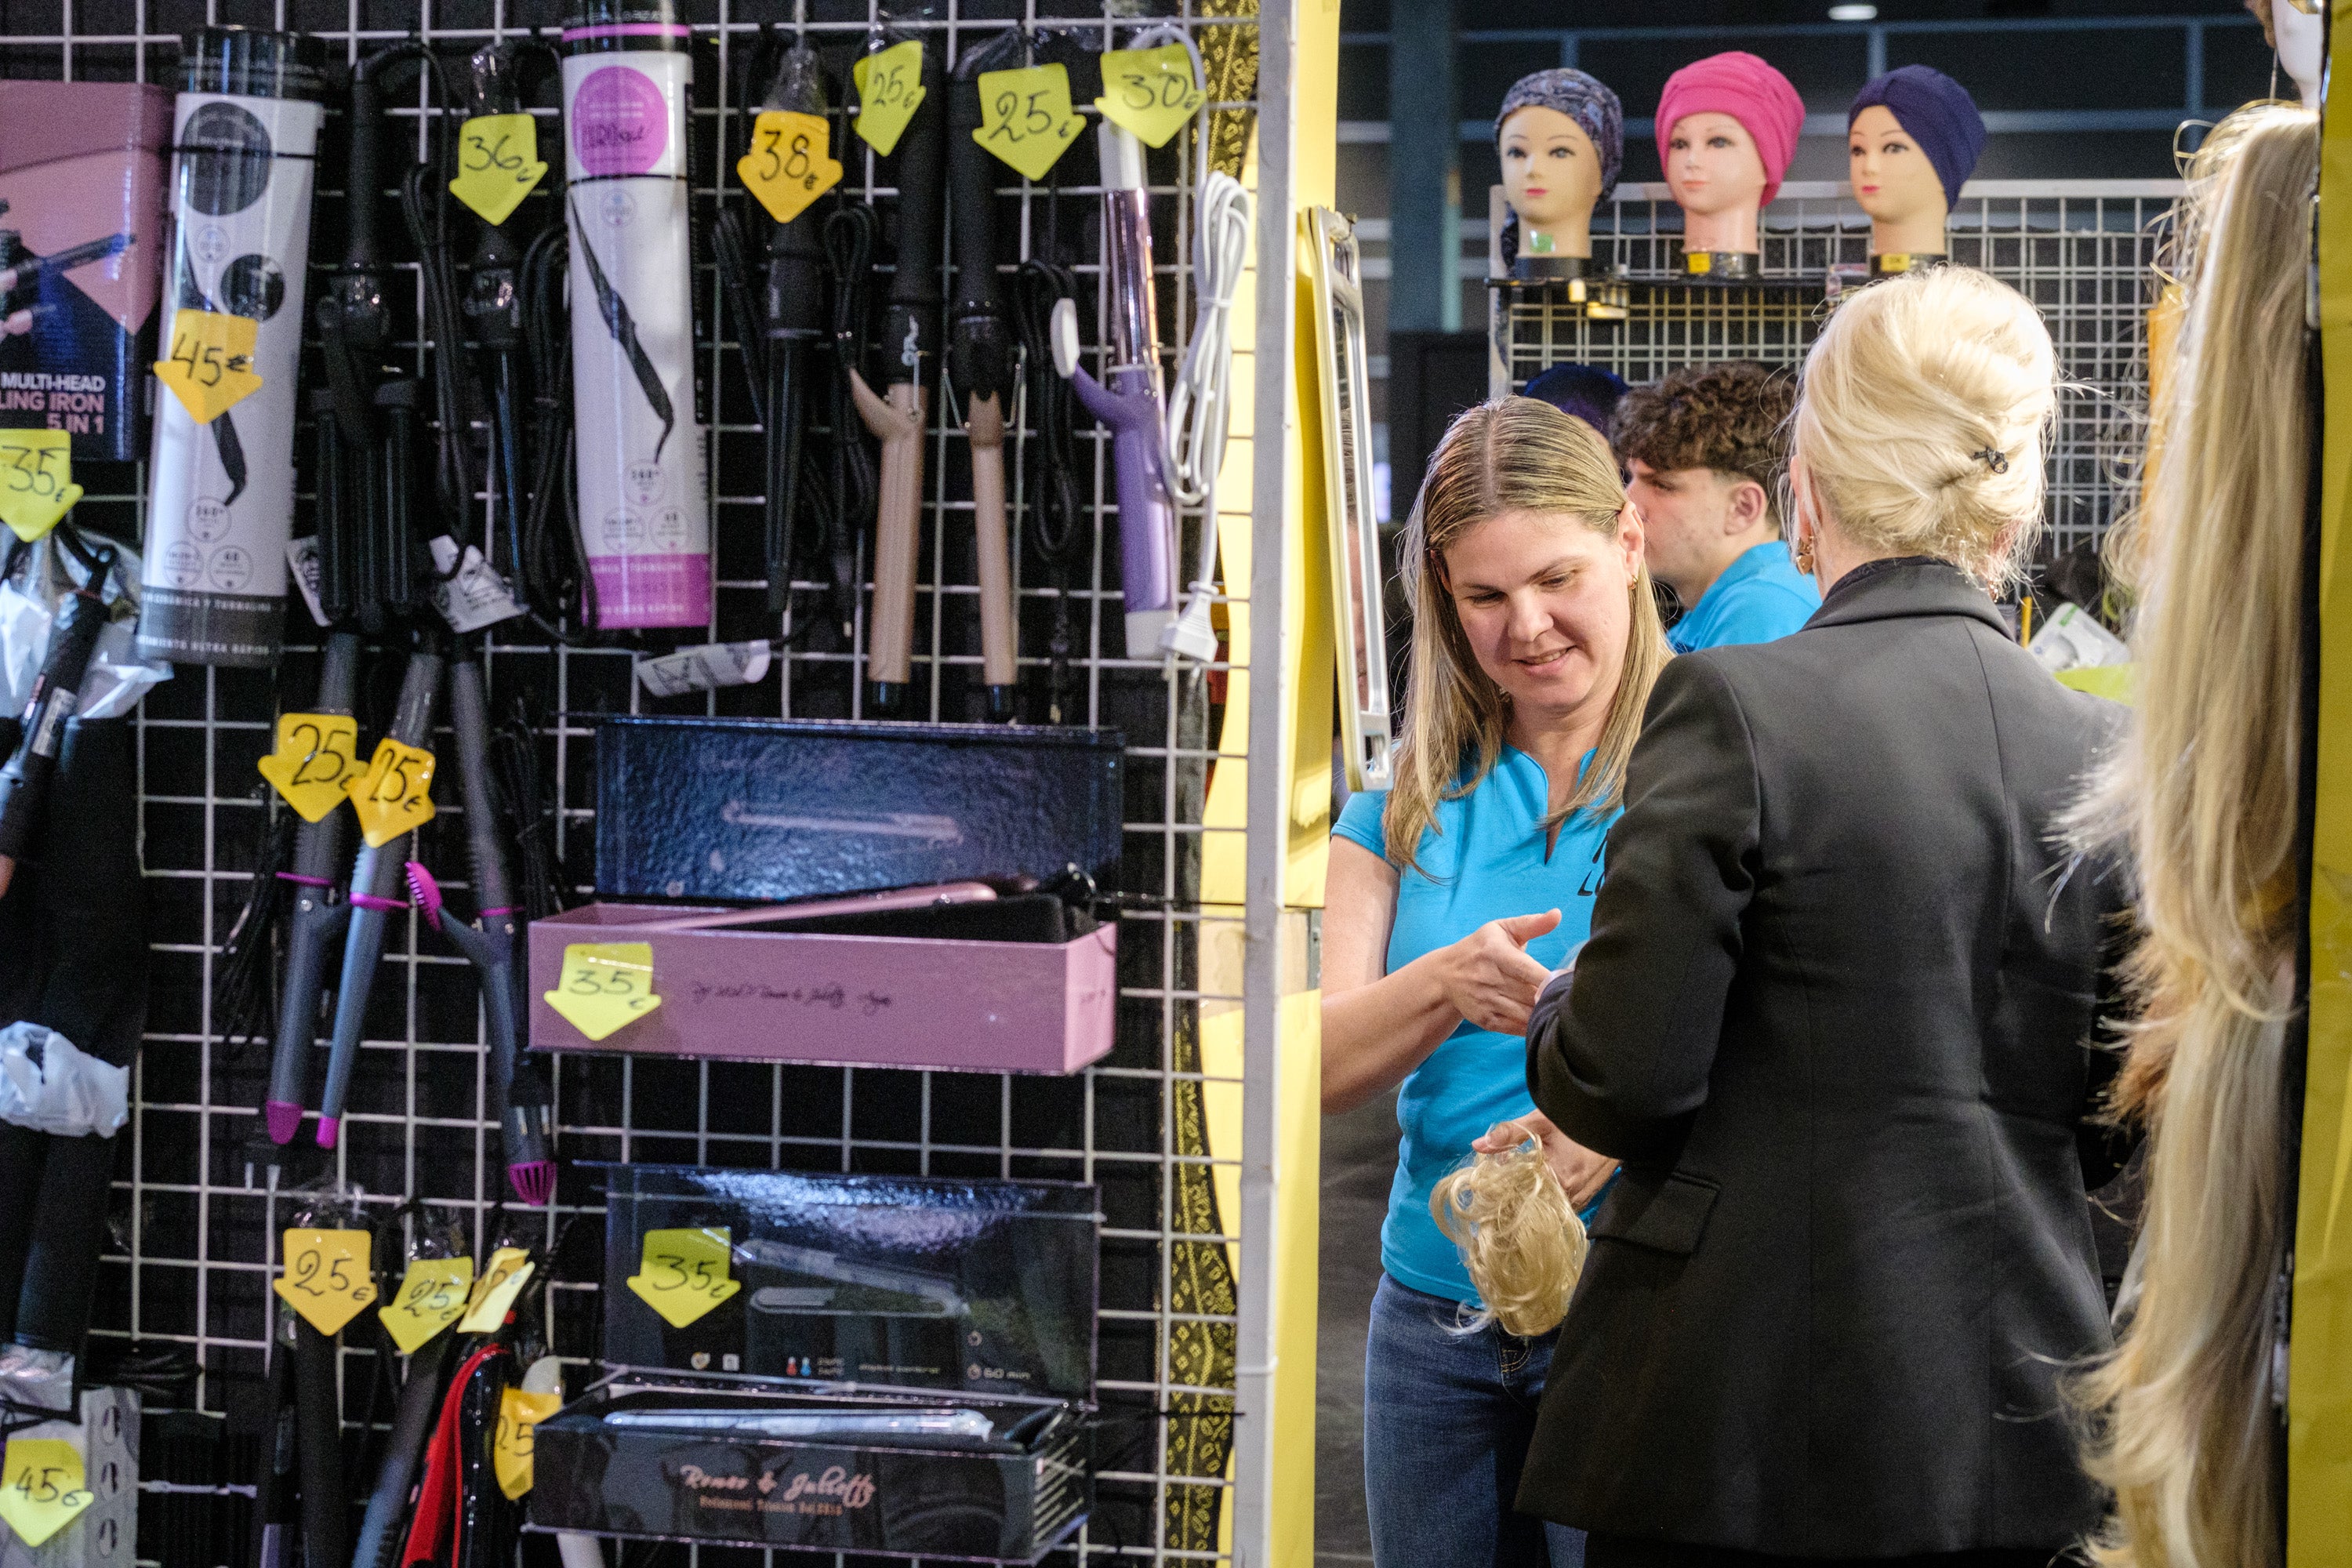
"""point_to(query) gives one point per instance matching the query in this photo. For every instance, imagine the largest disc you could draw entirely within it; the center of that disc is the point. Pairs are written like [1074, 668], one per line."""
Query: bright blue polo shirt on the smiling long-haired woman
[1474, 1078]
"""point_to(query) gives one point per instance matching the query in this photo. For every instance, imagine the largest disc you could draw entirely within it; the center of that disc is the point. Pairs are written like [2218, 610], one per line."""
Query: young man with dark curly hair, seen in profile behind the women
[1706, 457]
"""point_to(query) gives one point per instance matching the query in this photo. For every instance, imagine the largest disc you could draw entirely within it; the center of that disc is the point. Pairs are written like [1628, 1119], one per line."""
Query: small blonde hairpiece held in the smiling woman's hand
[1518, 1235]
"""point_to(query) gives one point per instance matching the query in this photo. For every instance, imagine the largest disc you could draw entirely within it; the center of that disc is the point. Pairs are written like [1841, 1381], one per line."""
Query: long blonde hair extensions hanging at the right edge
[2205, 798]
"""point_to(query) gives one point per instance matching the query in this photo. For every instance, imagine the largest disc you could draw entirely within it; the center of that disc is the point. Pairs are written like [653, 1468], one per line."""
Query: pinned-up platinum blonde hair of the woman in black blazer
[1923, 415]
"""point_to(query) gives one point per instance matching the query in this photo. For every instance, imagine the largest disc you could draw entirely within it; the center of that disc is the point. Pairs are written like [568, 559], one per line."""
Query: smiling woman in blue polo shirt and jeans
[1452, 899]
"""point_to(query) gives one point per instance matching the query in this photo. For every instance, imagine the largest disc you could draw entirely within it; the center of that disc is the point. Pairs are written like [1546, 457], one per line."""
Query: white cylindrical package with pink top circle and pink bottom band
[643, 502]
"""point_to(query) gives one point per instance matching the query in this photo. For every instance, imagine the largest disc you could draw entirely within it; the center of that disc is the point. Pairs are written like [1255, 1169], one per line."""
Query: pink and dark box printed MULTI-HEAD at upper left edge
[81, 225]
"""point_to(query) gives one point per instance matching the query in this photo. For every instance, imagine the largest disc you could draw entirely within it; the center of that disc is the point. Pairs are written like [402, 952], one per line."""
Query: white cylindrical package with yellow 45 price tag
[222, 492]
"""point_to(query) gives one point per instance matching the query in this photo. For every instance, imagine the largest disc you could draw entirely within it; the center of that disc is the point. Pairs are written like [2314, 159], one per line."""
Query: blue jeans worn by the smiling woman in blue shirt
[1448, 1421]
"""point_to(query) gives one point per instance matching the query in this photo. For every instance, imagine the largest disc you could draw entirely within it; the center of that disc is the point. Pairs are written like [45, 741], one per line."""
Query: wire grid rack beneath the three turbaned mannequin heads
[2080, 250]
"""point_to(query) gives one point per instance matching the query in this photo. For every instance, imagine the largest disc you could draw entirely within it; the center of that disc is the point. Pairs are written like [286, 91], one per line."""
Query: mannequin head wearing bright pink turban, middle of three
[1728, 130]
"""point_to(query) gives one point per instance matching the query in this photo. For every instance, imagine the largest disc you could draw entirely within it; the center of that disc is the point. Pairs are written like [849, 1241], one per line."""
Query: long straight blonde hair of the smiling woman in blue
[1514, 455]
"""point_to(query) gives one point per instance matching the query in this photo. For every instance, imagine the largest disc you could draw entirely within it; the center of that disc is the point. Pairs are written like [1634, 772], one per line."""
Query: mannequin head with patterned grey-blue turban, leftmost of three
[1561, 138]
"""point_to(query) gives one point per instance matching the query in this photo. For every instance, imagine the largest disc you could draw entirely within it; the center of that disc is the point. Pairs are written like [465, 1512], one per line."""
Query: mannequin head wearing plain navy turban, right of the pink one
[1913, 140]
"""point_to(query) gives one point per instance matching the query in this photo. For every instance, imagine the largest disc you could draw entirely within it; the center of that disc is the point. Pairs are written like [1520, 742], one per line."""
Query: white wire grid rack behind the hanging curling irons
[194, 1228]
